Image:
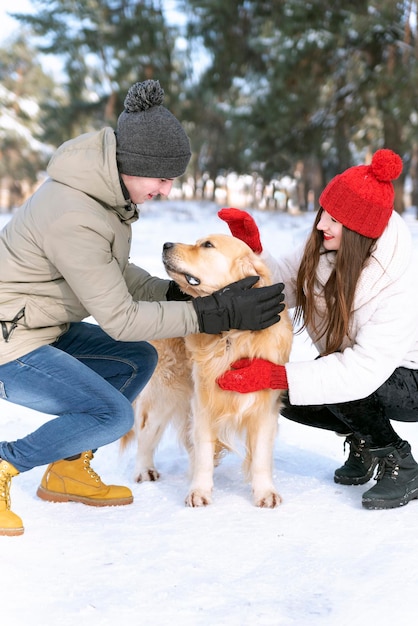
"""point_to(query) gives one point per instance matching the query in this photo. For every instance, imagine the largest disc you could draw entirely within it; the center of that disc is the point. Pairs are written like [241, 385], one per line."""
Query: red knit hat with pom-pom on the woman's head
[362, 197]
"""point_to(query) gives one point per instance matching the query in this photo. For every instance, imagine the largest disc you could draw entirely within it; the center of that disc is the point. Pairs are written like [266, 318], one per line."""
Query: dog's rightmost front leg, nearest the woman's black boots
[260, 441]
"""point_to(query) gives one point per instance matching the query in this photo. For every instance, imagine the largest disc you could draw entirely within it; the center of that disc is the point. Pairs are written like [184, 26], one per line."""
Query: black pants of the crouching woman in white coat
[368, 418]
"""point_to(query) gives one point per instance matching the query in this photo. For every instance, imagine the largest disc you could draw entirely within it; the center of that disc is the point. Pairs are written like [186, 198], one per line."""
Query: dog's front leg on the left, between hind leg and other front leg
[200, 493]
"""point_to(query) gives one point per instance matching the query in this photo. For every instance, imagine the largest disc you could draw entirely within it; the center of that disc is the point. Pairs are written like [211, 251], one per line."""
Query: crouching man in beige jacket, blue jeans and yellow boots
[64, 256]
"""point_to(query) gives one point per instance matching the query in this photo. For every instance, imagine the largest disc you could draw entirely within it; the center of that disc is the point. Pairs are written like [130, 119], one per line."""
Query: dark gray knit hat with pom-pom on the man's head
[151, 142]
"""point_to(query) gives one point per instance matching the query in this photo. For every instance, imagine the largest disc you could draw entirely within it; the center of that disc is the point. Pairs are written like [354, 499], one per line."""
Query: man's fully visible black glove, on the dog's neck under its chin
[239, 306]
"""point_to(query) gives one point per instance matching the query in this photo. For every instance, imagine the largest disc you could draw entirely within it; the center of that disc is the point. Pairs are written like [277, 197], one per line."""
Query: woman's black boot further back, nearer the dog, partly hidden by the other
[359, 467]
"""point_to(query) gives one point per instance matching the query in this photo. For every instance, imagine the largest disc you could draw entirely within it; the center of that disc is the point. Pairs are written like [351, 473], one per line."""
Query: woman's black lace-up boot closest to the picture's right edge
[397, 478]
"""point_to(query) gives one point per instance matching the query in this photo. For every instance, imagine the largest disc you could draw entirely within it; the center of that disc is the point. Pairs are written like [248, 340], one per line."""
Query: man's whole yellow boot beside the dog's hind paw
[76, 481]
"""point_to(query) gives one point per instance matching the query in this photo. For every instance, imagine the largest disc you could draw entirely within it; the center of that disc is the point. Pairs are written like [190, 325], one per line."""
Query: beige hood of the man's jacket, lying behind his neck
[88, 164]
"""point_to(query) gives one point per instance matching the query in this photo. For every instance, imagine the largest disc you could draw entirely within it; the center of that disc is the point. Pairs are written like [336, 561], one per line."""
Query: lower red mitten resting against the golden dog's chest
[249, 375]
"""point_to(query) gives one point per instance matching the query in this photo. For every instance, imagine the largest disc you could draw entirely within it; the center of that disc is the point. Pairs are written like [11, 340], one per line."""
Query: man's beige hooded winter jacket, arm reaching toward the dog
[64, 256]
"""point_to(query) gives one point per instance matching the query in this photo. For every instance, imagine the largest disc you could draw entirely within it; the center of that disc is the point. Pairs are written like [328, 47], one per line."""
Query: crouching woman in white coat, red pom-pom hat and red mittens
[354, 289]
